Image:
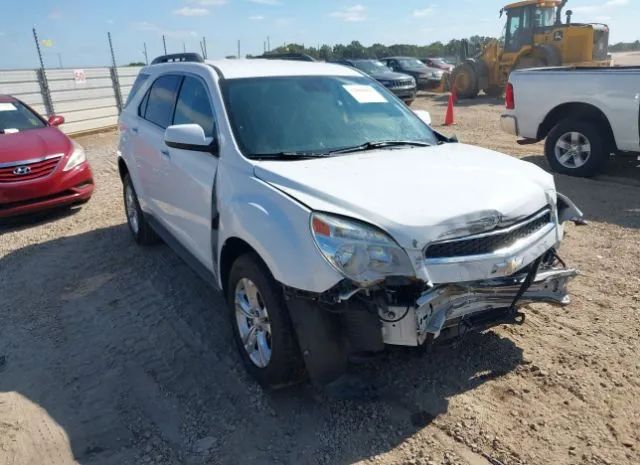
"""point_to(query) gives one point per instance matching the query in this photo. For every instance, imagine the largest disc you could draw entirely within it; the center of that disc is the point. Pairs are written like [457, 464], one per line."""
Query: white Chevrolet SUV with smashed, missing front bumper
[333, 218]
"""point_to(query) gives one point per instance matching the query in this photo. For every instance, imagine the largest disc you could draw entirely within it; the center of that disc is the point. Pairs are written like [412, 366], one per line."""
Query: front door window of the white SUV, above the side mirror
[194, 107]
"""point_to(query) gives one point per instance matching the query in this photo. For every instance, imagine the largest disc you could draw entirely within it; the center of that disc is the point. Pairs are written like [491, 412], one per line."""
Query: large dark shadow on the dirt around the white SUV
[132, 356]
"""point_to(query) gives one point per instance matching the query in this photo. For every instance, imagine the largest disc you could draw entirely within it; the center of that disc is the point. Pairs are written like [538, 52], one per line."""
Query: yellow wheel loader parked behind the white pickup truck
[534, 36]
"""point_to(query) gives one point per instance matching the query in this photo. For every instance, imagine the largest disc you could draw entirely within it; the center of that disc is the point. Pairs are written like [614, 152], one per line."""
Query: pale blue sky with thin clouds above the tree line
[78, 28]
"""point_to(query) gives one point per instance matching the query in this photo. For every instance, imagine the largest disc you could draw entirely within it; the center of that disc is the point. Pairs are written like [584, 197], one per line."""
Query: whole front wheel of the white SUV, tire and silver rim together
[261, 324]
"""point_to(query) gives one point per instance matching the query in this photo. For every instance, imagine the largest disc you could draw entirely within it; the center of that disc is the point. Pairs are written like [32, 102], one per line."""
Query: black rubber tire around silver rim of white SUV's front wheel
[286, 365]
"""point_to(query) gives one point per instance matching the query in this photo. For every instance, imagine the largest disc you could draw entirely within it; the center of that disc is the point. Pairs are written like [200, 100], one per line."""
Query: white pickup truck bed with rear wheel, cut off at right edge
[585, 114]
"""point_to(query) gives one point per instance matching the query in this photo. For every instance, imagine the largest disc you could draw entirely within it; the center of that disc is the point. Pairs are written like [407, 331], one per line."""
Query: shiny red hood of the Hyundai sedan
[34, 143]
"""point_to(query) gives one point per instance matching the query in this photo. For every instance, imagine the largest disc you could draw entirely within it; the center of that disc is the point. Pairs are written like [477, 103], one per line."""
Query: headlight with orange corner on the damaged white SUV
[359, 251]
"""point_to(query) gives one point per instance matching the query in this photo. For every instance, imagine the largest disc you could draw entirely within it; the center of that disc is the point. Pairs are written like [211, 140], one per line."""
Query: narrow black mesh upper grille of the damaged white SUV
[488, 243]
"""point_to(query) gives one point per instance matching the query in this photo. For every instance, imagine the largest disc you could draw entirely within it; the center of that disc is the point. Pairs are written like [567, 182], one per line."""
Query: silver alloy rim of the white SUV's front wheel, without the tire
[253, 322]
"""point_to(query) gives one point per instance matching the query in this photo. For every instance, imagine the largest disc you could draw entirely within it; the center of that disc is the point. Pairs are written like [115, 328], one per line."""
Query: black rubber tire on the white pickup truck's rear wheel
[583, 166]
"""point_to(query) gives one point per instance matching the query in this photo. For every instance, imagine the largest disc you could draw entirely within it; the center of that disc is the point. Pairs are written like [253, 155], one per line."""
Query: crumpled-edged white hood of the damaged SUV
[417, 195]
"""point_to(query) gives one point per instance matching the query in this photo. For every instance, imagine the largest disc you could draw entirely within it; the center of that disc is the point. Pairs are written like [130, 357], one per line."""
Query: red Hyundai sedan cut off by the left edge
[40, 167]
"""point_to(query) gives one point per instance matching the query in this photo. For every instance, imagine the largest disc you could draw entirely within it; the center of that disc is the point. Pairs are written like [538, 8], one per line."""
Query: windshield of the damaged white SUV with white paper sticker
[317, 115]
